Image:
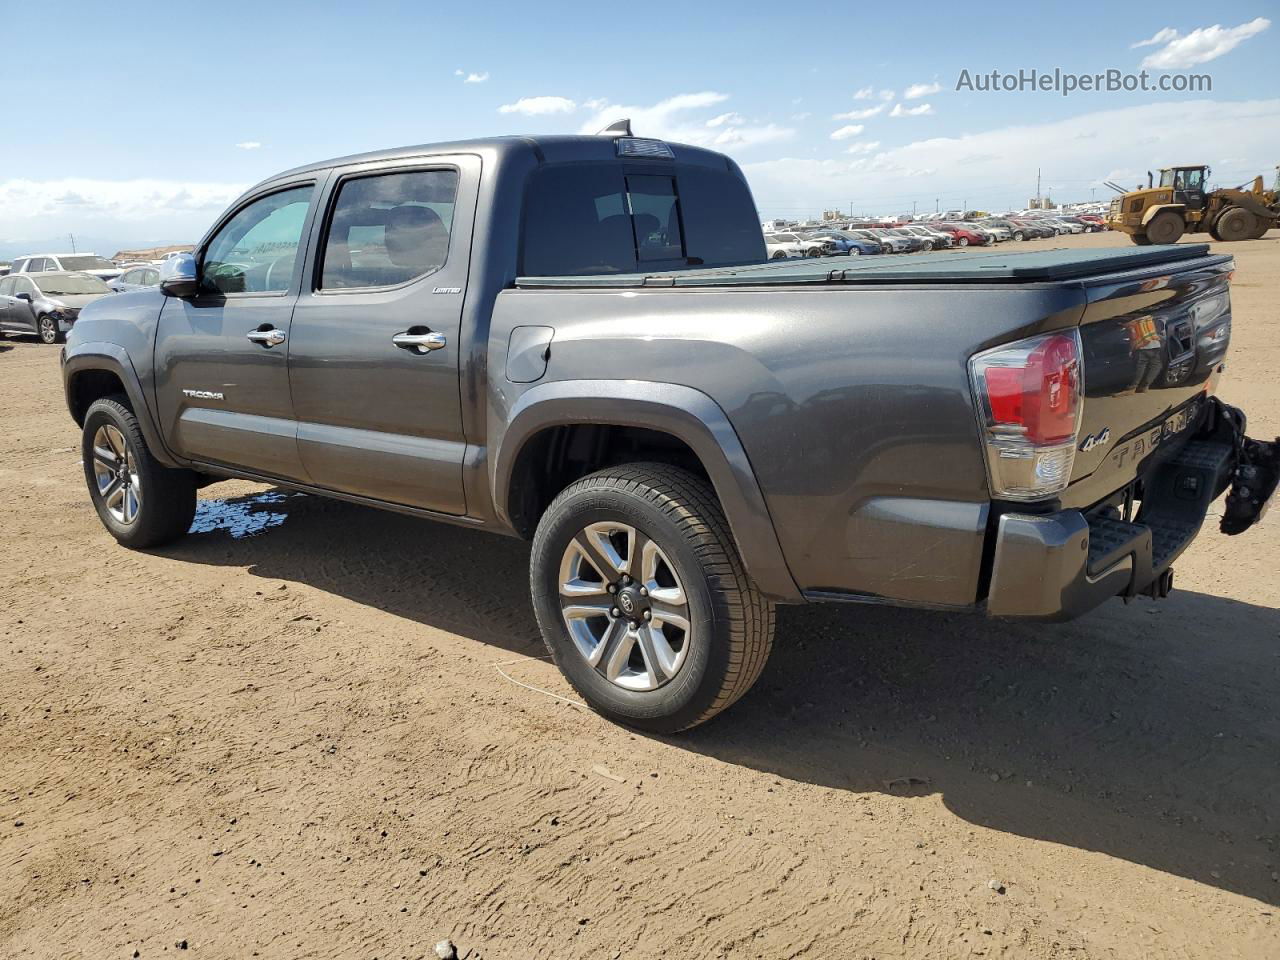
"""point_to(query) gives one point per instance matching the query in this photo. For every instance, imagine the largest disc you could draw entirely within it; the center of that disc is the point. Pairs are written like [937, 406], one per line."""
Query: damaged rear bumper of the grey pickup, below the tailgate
[1062, 565]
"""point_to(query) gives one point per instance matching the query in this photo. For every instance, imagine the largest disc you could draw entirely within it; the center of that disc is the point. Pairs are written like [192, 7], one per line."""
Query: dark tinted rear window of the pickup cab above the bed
[609, 220]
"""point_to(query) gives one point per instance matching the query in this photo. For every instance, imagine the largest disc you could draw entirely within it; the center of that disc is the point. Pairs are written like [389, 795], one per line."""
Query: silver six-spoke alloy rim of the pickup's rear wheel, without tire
[625, 607]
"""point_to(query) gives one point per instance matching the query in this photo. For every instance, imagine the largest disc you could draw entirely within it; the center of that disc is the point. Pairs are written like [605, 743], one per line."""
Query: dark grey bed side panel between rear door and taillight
[853, 405]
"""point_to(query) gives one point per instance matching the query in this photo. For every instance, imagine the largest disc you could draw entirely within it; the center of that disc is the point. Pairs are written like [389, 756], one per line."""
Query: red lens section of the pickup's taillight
[1041, 395]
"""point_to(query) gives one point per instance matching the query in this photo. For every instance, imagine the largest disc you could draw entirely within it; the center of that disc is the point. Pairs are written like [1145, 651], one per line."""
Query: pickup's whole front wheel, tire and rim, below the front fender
[141, 502]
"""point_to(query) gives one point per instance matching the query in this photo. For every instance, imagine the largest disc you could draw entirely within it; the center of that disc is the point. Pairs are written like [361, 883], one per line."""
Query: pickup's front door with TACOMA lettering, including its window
[222, 373]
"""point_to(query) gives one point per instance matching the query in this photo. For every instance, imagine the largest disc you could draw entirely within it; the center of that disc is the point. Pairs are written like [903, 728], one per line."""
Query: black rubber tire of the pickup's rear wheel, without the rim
[732, 623]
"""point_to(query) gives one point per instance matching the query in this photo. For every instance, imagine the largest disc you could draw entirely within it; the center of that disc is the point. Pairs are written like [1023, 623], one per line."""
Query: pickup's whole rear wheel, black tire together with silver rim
[643, 600]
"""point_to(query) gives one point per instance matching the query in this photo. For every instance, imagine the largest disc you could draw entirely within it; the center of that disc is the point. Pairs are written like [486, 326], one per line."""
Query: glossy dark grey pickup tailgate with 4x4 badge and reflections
[1155, 342]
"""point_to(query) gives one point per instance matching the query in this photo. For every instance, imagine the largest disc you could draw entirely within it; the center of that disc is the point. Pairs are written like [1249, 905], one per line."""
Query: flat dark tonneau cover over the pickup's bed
[967, 267]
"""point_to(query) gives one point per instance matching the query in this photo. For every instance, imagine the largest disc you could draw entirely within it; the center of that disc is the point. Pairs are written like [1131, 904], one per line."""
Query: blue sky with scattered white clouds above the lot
[153, 124]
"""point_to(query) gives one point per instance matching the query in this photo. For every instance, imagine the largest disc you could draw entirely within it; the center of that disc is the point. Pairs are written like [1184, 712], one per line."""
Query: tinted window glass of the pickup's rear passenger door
[390, 230]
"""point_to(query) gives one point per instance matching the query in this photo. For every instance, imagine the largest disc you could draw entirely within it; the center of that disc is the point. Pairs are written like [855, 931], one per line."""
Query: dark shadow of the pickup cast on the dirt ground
[1149, 733]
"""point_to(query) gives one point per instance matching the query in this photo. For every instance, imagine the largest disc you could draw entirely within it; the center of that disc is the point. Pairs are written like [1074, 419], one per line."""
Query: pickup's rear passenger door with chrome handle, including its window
[376, 341]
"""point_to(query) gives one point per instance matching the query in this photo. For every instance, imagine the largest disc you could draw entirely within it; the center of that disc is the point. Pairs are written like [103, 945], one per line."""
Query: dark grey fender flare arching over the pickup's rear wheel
[682, 412]
